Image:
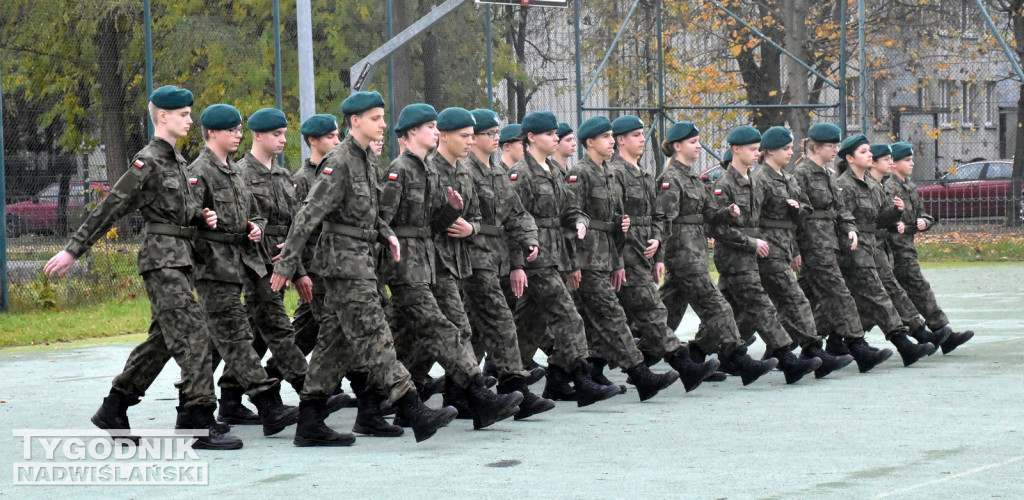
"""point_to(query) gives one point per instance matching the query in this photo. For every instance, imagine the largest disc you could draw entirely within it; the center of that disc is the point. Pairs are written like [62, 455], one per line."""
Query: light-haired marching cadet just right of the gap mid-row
[684, 207]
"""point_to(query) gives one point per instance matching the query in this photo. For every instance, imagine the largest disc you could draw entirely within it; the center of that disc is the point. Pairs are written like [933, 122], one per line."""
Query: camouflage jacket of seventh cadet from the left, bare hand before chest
[453, 254]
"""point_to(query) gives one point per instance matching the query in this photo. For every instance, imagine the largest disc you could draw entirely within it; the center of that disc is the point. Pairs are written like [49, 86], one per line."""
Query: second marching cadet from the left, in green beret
[226, 259]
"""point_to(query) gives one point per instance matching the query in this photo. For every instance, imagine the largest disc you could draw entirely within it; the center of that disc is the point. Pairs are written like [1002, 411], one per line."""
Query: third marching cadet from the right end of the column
[872, 210]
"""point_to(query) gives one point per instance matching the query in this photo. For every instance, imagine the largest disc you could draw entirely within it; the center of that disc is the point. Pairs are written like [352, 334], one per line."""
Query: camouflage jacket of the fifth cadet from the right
[777, 215]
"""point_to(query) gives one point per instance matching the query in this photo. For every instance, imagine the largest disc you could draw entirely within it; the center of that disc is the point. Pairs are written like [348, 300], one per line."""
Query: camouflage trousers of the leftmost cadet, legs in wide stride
[179, 330]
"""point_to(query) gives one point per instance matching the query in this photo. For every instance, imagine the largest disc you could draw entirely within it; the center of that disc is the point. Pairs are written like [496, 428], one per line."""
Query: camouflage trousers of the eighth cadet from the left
[493, 326]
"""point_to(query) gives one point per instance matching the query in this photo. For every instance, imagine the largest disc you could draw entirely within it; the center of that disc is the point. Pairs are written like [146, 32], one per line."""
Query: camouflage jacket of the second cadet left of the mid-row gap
[602, 199]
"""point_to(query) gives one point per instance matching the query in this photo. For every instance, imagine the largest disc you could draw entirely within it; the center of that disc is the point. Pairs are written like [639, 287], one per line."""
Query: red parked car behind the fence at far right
[973, 190]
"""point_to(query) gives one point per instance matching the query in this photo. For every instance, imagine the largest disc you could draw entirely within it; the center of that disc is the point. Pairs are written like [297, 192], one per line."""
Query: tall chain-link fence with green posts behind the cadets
[75, 91]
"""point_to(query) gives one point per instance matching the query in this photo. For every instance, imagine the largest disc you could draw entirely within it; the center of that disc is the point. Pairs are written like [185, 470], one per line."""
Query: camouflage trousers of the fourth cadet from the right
[835, 309]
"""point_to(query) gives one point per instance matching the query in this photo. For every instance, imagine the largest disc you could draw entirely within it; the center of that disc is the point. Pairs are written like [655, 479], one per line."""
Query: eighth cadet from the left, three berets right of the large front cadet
[504, 227]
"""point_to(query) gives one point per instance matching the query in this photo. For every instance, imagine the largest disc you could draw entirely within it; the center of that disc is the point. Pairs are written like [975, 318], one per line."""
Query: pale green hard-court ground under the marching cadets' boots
[947, 428]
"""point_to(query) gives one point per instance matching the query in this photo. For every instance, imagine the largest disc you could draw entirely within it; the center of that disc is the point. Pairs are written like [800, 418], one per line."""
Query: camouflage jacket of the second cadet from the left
[223, 188]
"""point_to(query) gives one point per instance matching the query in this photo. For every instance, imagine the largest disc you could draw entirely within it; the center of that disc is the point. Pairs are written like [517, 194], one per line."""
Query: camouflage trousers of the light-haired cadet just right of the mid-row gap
[718, 332]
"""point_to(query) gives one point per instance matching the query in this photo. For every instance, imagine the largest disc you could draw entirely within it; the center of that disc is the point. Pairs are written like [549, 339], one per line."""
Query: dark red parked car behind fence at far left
[40, 214]
